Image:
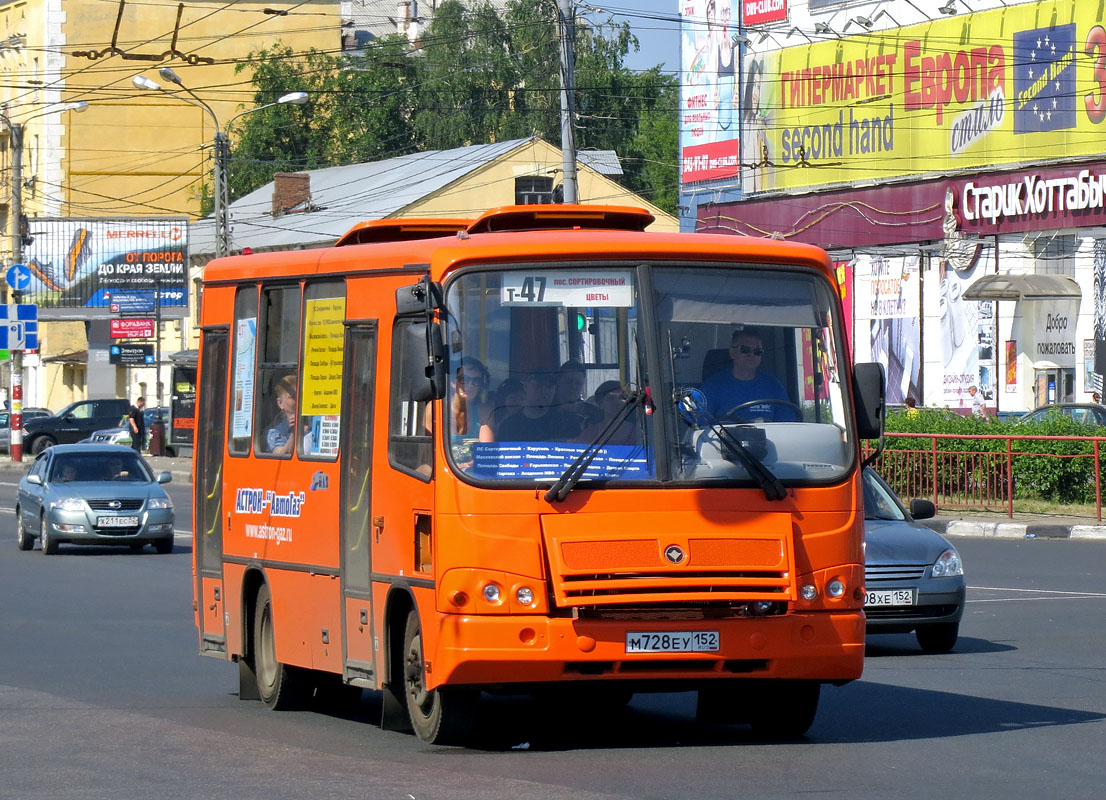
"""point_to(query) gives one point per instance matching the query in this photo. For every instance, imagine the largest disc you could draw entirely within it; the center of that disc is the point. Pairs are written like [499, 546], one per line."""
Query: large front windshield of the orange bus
[550, 368]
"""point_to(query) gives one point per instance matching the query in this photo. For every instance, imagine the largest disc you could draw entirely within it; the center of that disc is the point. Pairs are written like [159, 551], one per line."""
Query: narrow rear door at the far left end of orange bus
[207, 537]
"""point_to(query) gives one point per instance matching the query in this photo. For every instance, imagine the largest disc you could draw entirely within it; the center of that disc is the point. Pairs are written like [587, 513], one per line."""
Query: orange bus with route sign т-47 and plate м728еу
[542, 451]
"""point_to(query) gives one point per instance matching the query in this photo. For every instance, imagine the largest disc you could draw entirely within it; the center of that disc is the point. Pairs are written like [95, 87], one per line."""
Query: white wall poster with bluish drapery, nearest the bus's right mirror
[895, 325]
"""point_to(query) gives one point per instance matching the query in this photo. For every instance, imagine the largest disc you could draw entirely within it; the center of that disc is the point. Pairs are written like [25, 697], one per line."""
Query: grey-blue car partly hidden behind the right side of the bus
[913, 577]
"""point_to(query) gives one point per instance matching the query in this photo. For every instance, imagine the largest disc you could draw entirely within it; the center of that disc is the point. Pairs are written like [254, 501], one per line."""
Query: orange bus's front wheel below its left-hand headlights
[439, 716]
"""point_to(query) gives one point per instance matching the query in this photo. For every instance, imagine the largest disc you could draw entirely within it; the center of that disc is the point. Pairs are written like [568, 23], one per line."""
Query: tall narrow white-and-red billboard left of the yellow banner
[709, 103]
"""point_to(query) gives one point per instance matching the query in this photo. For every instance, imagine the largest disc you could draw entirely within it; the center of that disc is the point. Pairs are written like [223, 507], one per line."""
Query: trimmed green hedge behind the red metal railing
[1041, 476]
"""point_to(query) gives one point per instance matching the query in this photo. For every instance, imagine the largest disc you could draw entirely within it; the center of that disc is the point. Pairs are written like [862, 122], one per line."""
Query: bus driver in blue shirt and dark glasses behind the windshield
[734, 394]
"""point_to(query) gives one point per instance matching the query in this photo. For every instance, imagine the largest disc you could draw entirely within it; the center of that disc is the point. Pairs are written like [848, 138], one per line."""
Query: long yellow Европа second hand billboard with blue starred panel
[1006, 87]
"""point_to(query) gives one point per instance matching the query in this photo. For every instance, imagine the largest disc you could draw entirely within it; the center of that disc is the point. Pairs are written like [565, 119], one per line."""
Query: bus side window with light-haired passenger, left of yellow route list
[278, 346]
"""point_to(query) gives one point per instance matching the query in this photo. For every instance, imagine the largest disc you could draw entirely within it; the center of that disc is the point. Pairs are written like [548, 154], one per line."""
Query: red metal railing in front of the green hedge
[978, 472]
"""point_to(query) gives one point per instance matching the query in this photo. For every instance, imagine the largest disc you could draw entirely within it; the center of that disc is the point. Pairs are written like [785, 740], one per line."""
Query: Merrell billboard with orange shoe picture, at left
[78, 266]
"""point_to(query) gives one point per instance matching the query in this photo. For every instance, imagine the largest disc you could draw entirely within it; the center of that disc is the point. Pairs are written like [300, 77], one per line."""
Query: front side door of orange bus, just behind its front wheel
[356, 518]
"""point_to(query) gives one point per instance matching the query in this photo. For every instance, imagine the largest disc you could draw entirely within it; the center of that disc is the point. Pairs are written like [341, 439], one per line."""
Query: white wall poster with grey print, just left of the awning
[967, 334]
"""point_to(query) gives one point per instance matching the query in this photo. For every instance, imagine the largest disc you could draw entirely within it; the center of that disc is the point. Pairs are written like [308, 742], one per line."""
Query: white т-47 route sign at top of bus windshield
[569, 289]
